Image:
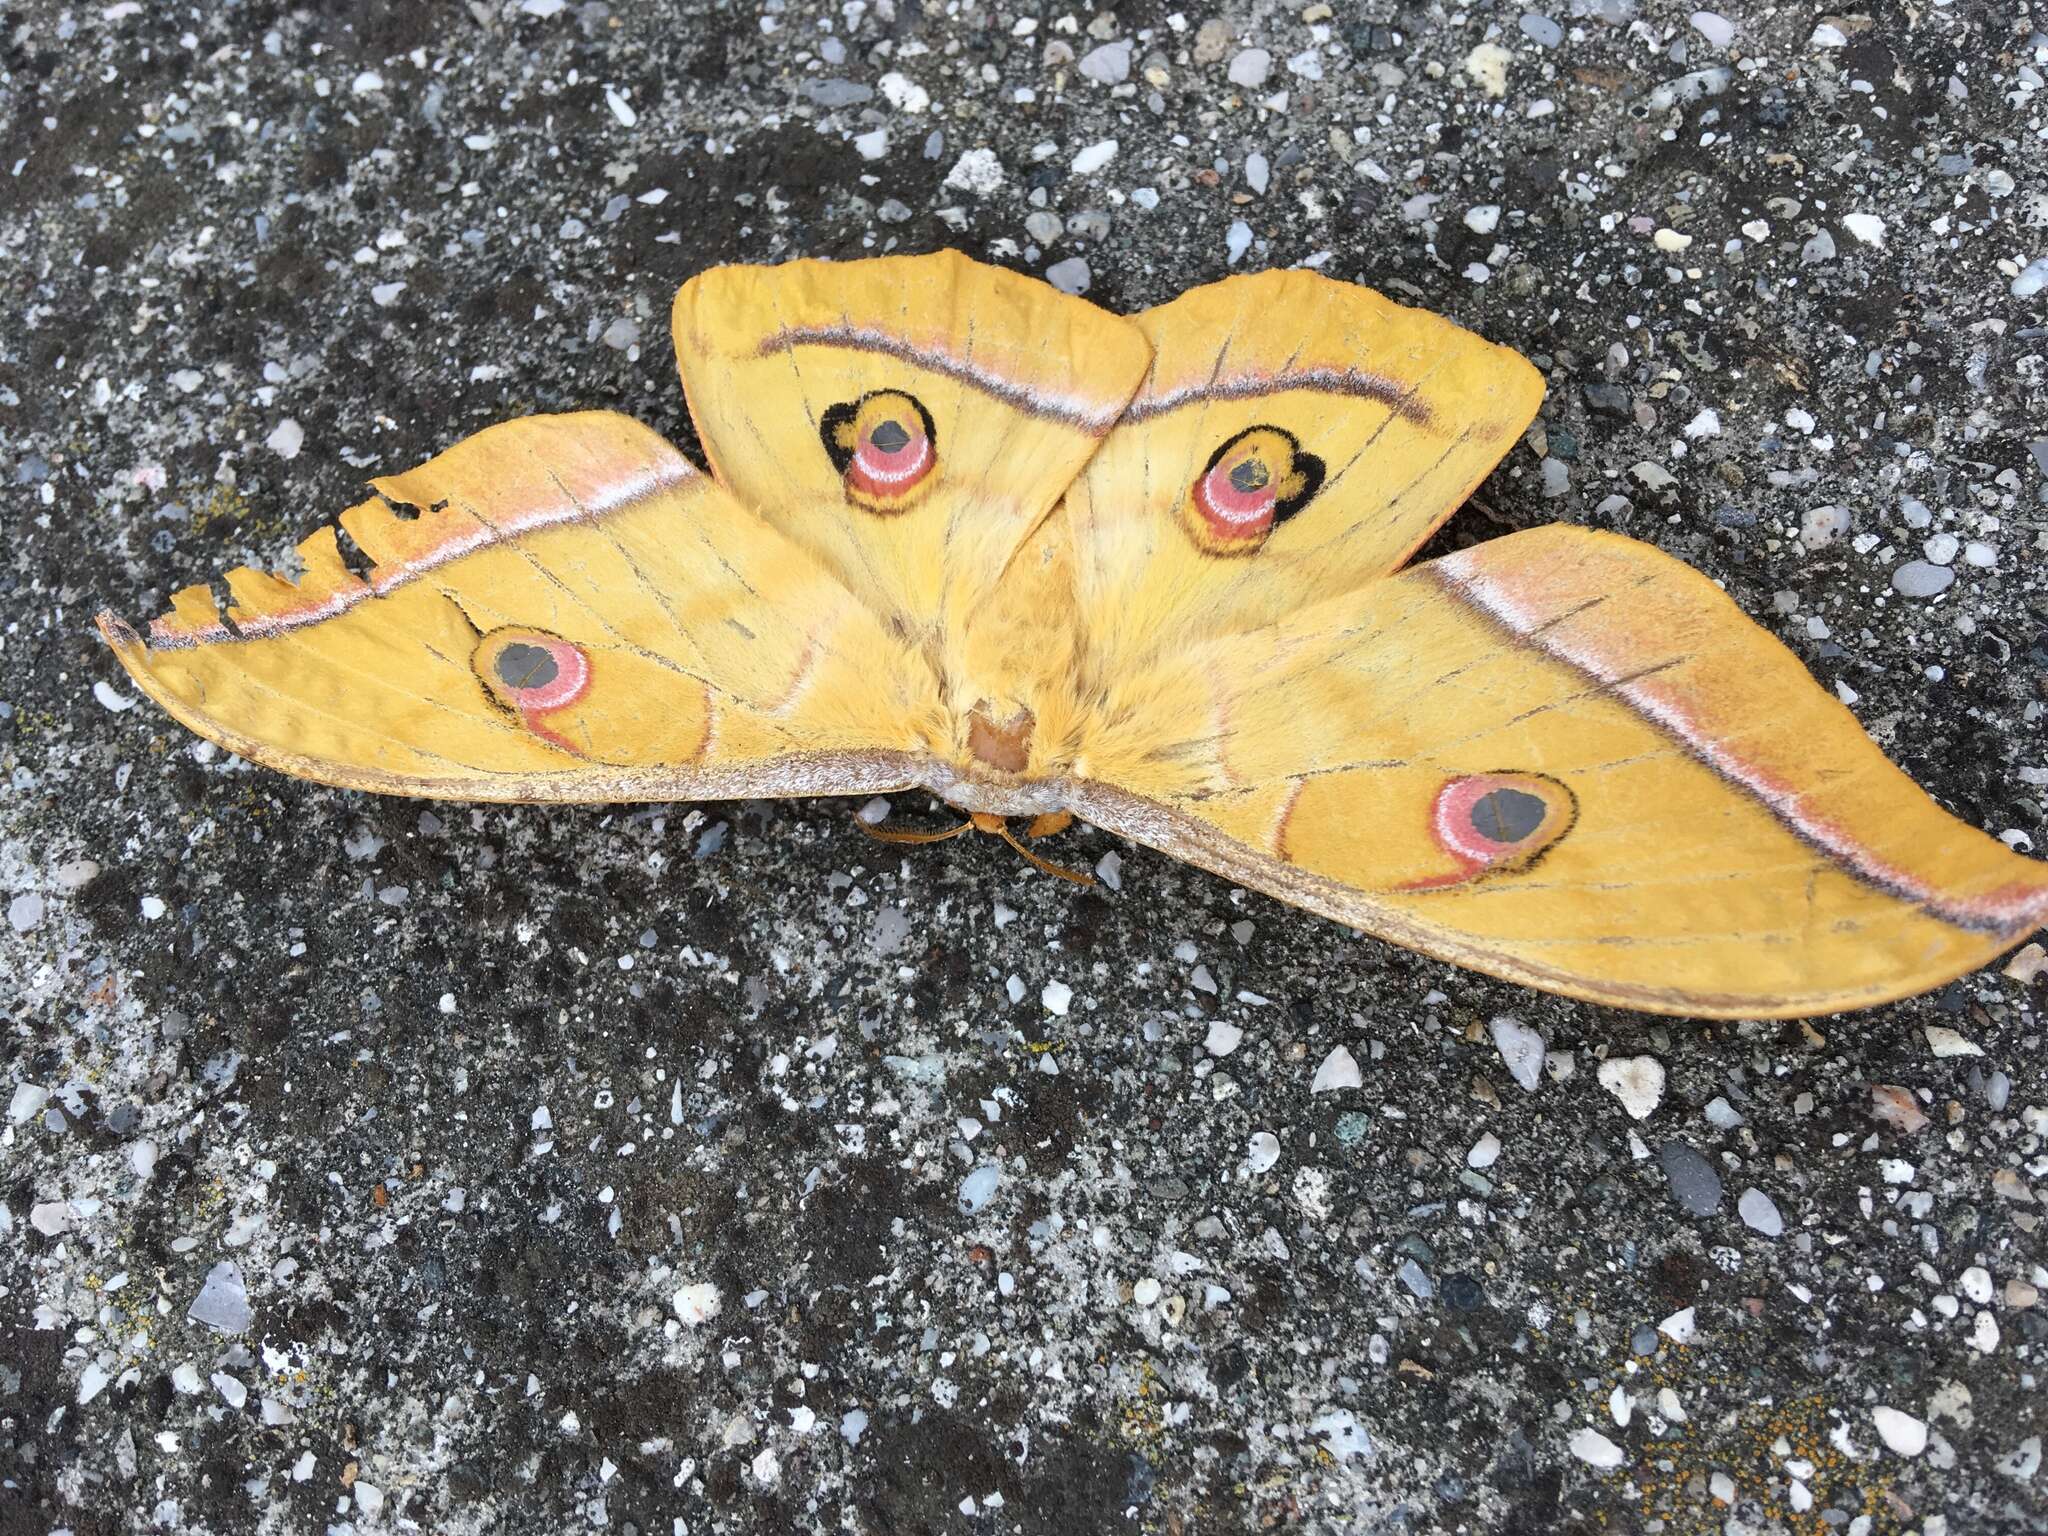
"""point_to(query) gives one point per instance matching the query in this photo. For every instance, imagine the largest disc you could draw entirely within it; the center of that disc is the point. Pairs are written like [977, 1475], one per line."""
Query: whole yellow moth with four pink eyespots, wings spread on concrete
[972, 536]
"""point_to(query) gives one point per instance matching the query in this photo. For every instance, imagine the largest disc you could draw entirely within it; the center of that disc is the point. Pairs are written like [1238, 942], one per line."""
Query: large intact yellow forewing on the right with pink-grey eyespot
[1568, 761]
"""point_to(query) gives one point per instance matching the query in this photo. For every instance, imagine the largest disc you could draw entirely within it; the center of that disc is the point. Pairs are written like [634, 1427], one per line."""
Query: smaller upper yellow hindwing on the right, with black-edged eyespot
[1293, 439]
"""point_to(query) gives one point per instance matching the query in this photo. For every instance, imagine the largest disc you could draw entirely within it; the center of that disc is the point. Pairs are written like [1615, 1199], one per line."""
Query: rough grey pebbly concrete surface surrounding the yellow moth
[366, 1156]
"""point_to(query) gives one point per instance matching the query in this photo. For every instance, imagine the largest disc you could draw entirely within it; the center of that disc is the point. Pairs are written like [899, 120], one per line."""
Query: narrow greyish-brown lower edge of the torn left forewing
[796, 775]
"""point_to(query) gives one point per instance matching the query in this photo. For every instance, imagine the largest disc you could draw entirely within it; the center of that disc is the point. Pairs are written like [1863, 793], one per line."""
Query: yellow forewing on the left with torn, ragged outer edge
[556, 609]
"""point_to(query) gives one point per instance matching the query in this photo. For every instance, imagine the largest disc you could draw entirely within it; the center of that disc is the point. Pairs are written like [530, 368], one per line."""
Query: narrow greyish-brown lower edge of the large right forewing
[1195, 843]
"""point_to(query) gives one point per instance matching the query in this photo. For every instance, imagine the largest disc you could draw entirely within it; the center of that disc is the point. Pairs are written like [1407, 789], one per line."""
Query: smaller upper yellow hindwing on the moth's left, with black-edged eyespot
[910, 421]
